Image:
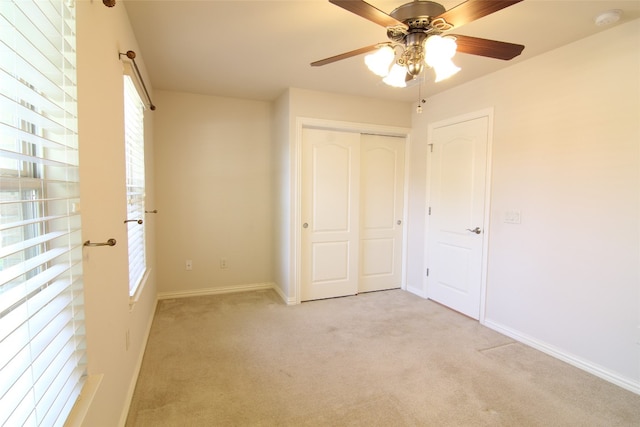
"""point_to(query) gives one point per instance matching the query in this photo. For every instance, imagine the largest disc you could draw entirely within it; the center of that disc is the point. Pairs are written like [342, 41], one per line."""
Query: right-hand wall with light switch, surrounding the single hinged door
[566, 154]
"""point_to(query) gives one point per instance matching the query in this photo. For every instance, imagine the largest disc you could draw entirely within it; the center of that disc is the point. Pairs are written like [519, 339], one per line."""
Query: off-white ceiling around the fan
[257, 49]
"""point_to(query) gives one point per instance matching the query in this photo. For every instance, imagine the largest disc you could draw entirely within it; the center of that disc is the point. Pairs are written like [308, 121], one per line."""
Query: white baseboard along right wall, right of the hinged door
[626, 383]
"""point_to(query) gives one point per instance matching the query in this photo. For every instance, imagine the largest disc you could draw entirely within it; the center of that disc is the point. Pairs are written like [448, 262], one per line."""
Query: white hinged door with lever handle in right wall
[456, 201]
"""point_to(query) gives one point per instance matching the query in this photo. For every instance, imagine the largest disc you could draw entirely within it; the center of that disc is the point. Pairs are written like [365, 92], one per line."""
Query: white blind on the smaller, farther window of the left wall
[134, 143]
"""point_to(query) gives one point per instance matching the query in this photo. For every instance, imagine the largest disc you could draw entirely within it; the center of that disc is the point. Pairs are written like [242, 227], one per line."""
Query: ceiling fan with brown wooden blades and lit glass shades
[417, 29]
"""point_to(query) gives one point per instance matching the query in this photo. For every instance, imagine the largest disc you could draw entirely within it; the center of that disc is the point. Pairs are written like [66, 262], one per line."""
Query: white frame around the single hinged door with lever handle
[488, 113]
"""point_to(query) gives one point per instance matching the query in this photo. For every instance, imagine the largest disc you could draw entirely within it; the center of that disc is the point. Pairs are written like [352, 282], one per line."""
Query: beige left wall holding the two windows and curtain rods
[101, 34]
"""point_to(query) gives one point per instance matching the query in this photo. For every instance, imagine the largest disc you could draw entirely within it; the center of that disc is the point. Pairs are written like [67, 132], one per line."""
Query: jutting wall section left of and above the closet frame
[291, 106]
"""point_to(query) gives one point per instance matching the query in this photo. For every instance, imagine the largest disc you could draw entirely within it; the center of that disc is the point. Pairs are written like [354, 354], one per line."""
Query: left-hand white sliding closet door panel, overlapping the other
[330, 210]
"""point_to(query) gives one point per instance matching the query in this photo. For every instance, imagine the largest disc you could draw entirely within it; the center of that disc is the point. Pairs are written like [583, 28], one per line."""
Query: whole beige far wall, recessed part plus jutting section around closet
[223, 170]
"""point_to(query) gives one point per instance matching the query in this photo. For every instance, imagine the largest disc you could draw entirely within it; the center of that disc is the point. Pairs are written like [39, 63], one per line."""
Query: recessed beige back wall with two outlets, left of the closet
[215, 199]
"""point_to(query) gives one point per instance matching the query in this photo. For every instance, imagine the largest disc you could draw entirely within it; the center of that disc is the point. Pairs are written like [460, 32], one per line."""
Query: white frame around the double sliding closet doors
[296, 185]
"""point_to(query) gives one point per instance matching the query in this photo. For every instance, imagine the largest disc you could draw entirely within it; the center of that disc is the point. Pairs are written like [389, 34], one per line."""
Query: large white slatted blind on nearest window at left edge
[42, 340]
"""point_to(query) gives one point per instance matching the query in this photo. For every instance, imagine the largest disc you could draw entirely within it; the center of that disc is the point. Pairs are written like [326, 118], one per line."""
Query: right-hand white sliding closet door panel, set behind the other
[381, 210]
